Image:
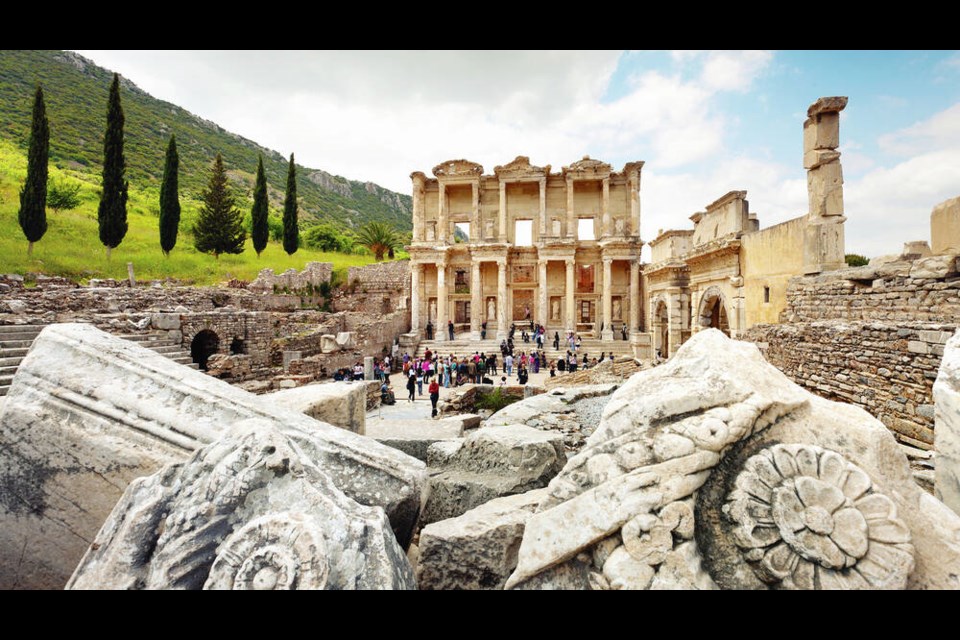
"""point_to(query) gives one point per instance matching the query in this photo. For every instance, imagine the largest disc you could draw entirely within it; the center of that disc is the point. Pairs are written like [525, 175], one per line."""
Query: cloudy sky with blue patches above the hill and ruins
[705, 122]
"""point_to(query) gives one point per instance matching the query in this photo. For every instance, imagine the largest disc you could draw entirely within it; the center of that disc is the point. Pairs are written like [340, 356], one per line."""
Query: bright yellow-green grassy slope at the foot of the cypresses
[71, 246]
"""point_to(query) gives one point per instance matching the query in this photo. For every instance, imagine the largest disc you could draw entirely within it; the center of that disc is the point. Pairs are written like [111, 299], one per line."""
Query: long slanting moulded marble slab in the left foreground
[87, 413]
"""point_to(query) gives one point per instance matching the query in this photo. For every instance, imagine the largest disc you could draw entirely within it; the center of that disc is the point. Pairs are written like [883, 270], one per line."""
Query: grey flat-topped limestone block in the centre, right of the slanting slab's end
[489, 463]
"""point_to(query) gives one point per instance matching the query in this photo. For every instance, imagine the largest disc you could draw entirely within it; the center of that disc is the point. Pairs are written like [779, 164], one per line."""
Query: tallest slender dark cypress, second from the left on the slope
[112, 214]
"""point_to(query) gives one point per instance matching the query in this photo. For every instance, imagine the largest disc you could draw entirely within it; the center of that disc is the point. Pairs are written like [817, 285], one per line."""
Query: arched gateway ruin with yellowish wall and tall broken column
[729, 274]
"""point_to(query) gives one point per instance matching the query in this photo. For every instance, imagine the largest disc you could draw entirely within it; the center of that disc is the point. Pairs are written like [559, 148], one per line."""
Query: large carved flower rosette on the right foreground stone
[807, 518]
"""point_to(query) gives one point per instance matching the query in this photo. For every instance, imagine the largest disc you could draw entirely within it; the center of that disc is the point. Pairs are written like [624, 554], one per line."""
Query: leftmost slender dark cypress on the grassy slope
[33, 195]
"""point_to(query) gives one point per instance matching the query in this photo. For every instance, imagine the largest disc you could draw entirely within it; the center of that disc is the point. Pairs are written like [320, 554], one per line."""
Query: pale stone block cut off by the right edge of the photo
[946, 397]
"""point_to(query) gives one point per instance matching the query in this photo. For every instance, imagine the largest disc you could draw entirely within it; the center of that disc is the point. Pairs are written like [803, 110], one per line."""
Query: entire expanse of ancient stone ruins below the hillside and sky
[760, 415]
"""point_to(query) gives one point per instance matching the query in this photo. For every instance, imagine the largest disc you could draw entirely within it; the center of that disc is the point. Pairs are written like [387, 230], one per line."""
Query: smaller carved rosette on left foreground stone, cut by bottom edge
[275, 552]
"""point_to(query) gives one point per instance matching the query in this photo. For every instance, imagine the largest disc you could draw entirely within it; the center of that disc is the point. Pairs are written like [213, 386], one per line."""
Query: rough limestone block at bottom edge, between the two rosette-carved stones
[477, 550]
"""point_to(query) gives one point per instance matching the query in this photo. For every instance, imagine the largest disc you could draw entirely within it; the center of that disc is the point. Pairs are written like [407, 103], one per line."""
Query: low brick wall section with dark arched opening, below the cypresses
[254, 329]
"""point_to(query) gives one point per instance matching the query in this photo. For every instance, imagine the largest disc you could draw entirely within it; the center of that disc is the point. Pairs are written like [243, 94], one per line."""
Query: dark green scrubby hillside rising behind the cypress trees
[76, 95]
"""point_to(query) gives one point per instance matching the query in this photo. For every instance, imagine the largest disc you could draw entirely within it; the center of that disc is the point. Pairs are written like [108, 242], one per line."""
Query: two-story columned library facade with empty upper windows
[526, 244]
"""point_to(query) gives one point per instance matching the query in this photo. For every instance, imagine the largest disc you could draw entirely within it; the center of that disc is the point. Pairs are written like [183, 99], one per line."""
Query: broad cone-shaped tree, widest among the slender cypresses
[219, 227]
